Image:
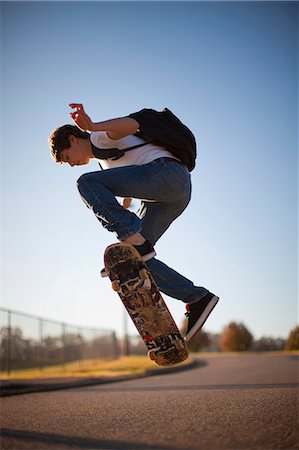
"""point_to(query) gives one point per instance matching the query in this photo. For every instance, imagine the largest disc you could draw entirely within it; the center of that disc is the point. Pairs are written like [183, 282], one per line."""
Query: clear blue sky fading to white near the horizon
[229, 71]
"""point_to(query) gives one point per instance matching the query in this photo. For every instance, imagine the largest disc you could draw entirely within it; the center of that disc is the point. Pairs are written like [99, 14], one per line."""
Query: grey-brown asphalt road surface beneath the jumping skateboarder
[227, 402]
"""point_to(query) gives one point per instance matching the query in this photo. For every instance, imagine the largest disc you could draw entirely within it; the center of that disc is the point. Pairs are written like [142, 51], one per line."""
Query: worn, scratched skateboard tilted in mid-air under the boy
[142, 299]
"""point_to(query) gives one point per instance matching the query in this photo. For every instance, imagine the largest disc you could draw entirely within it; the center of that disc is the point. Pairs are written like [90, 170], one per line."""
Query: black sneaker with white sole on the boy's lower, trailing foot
[197, 313]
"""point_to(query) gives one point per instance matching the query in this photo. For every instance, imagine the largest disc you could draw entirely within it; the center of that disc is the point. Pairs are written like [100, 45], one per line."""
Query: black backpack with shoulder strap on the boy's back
[160, 128]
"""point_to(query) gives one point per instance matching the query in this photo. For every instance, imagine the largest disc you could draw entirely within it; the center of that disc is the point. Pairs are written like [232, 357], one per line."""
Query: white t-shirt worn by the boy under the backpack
[137, 157]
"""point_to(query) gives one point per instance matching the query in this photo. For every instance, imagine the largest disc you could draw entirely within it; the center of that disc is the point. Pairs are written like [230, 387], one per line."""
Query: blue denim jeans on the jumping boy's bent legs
[164, 188]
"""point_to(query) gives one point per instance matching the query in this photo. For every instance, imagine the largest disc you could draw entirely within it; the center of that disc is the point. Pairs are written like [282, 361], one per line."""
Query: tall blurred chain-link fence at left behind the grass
[29, 341]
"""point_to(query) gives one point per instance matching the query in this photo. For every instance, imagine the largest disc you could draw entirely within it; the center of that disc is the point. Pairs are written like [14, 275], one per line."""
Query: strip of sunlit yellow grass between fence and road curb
[126, 365]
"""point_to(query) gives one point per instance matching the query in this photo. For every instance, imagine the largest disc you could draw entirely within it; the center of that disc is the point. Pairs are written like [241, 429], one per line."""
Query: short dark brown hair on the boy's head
[59, 139]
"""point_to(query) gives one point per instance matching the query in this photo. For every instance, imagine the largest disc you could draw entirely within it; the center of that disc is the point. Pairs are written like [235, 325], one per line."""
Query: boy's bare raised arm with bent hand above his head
[115, 128]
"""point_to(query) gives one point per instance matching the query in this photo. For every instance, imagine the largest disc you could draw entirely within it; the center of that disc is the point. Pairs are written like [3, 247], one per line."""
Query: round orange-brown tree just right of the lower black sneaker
[235, 338]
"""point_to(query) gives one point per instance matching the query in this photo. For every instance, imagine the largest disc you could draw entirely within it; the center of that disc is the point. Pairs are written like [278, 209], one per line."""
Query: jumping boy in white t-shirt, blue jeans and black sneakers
[149, 173]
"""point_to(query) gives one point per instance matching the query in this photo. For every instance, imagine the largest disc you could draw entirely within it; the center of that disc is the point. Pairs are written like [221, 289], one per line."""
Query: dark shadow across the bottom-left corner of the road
[72, 441]
